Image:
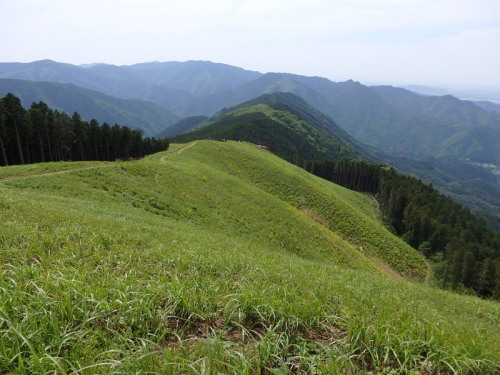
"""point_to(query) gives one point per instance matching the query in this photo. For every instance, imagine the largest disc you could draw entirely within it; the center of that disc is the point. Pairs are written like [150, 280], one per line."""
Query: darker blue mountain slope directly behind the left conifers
[149, 117]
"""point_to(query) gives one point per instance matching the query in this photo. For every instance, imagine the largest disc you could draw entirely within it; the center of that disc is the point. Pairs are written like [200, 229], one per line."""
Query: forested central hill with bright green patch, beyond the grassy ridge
[286, 122]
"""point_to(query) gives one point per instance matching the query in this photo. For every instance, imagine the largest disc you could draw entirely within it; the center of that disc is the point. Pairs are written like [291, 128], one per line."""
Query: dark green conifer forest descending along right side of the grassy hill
[464, 251]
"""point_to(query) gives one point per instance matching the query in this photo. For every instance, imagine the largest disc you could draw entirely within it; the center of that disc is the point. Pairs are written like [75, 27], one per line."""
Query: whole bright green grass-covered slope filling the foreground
[217, 258]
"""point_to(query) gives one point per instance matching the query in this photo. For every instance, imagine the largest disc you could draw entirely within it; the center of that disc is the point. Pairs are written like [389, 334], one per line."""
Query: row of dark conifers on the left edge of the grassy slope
[40, 134]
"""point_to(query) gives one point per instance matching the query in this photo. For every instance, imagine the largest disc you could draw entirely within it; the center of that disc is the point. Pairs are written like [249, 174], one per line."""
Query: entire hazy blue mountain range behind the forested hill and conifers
[432, 137]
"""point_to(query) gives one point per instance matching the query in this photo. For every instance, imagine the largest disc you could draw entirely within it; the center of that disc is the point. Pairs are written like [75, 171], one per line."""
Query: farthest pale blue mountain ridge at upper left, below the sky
[167, 84]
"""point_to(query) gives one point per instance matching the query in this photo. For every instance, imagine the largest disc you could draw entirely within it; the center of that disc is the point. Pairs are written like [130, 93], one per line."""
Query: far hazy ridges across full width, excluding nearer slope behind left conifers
[392, 119]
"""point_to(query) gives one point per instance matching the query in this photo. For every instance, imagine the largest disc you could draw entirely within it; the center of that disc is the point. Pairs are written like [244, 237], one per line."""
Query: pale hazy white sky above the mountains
[432, 42]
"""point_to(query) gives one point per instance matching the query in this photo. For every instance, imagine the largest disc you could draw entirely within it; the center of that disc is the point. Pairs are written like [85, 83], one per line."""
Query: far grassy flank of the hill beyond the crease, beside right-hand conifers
[342, 211]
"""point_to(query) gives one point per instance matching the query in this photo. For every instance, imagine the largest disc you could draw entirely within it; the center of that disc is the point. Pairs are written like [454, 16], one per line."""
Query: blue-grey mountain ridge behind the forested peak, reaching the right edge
[392, 119]
